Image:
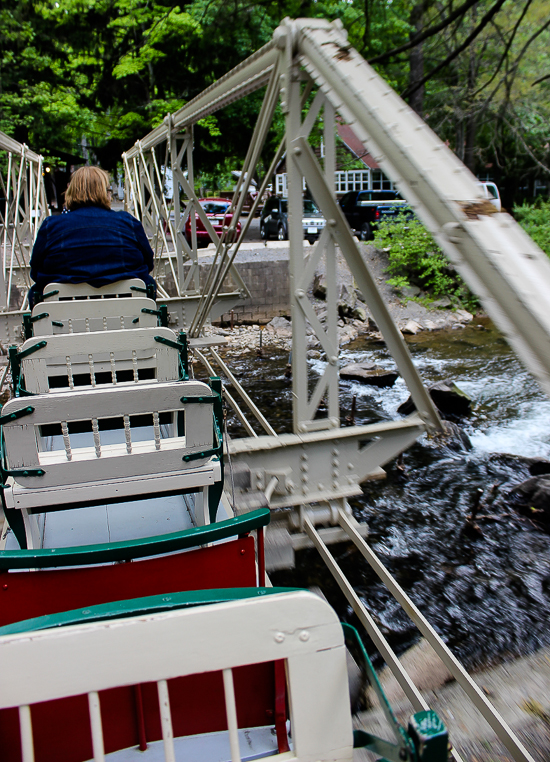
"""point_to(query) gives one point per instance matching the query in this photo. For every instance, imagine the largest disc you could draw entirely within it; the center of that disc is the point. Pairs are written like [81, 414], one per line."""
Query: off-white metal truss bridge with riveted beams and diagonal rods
[310, 68]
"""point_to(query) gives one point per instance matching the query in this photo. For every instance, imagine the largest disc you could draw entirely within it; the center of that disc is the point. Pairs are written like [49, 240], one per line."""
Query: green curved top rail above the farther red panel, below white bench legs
[44, 558]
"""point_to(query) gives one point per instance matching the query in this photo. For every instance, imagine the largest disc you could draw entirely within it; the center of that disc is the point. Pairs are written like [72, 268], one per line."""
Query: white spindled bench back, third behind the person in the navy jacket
[48, 364]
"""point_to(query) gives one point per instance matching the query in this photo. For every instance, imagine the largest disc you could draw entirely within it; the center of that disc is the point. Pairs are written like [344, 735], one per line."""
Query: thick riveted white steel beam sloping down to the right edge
[496, 258]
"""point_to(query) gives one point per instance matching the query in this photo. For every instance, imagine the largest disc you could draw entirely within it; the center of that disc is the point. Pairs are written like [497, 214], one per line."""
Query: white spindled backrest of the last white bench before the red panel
[95, 436]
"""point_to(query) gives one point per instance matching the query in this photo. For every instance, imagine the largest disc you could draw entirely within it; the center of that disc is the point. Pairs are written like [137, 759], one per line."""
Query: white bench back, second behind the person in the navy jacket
[84, 316]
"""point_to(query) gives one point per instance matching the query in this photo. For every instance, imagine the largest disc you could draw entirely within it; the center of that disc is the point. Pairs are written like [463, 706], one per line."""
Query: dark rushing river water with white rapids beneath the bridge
[486, 592]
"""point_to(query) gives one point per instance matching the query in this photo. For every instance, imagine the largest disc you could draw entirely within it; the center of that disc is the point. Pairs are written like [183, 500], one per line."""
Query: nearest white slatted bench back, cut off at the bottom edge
[297, 627]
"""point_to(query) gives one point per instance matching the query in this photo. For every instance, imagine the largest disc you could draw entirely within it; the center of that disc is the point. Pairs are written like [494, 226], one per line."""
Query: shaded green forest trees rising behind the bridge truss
[477, 71]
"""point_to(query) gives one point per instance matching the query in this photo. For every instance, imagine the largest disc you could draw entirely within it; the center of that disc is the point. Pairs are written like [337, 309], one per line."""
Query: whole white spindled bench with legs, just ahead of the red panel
[85, 447]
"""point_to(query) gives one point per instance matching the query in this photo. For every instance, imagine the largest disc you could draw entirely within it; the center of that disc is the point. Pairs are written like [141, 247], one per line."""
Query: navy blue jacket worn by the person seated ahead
[90, 245]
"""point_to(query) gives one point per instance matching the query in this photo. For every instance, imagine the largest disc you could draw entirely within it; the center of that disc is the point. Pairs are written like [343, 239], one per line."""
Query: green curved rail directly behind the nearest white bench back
[151, 604]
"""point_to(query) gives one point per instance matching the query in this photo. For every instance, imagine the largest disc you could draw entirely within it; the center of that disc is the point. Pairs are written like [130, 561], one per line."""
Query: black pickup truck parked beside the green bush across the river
[365, 209]
